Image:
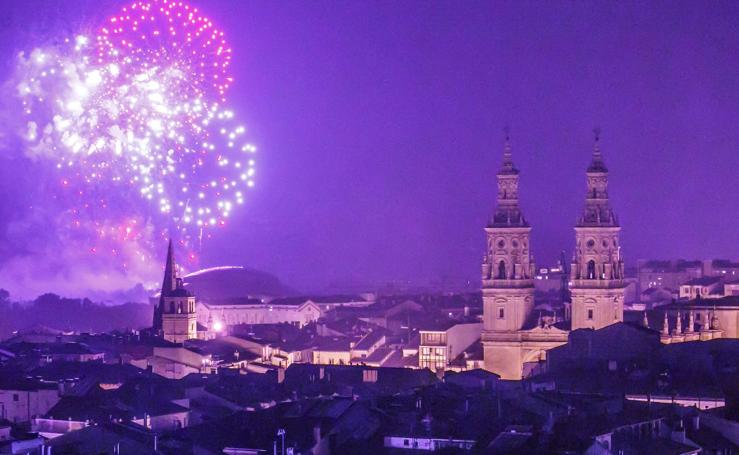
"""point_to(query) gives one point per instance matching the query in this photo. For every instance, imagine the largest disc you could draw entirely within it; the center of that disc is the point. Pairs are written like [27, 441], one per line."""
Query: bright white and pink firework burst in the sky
[135, 124]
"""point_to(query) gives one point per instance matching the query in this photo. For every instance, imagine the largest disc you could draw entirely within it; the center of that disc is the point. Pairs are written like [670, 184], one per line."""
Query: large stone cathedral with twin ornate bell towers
[515, 338]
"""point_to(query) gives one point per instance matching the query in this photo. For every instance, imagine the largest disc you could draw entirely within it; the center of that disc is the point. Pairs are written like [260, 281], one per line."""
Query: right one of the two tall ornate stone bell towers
[597, 272]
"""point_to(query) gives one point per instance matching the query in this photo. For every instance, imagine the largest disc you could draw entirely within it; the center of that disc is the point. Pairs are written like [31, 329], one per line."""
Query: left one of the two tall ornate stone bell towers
[507, 273]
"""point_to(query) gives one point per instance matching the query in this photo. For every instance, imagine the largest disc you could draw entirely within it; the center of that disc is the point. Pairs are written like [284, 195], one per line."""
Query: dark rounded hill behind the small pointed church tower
[220, 283]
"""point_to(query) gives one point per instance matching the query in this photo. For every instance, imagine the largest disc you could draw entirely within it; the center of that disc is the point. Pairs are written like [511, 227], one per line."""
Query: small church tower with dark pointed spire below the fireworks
[174, 317]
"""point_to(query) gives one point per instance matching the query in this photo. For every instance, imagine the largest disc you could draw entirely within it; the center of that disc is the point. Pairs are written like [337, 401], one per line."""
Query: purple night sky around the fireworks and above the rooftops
[380, 128]
